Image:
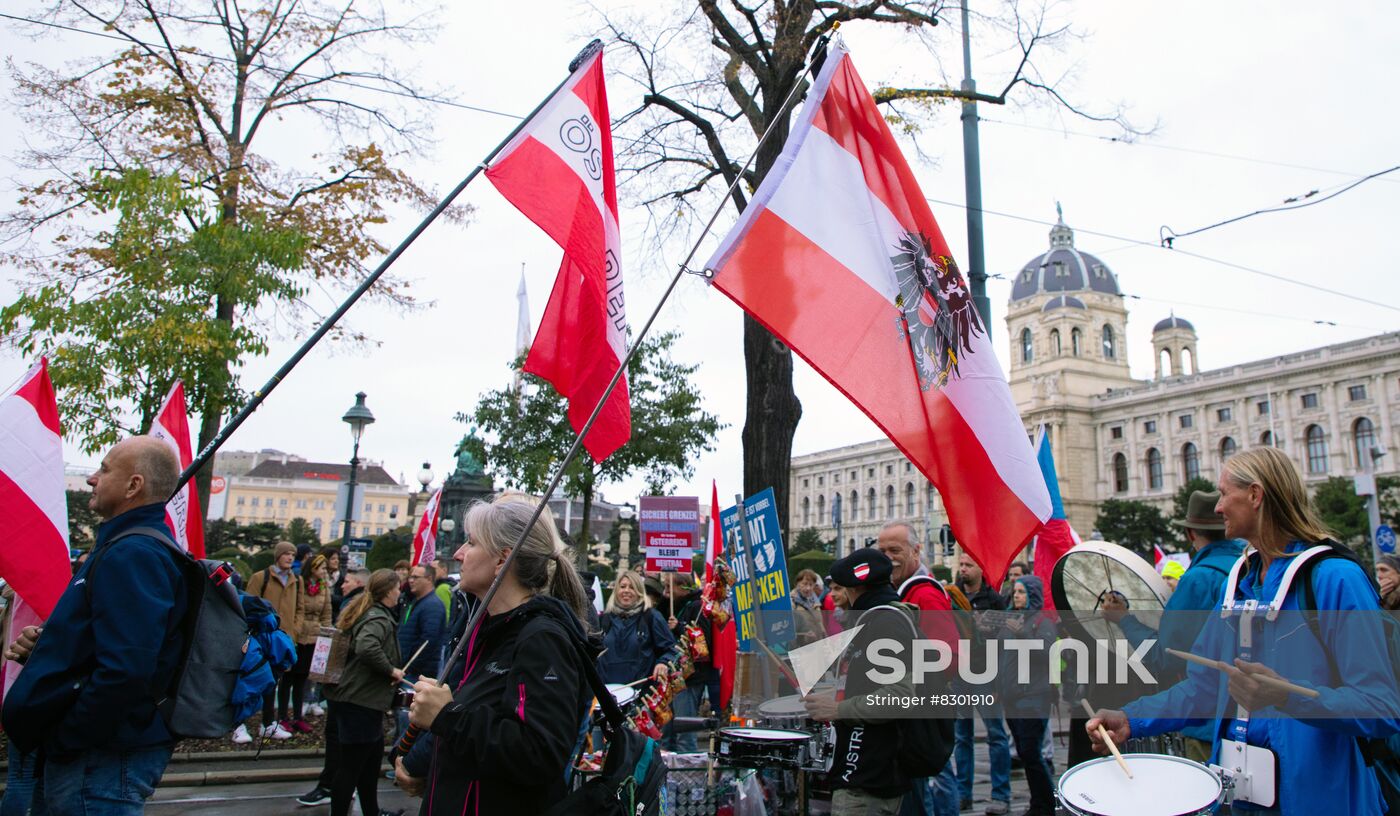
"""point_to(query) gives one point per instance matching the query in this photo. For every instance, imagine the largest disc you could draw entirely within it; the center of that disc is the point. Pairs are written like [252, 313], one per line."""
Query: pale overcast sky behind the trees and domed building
[1256, 104]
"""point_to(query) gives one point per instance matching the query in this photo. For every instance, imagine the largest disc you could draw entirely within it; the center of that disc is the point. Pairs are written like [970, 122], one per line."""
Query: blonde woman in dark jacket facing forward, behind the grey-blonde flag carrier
[636, 640]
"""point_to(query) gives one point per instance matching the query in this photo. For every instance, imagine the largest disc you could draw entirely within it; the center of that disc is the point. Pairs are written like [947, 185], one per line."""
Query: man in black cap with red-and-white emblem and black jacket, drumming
[867, 778]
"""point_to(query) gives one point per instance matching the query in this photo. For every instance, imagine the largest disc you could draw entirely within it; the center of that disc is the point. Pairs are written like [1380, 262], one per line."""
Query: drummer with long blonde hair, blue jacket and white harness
[1312, 740]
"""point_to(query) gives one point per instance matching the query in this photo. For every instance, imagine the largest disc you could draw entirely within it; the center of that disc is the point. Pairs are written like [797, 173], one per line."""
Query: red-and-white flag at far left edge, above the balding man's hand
[34, 549]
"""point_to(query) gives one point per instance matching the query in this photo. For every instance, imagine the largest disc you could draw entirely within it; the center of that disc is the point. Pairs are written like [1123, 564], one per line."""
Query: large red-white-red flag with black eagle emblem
[839, 255]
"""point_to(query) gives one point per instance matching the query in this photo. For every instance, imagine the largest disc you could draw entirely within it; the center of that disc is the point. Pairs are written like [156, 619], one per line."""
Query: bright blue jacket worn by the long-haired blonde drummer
[1321, 769]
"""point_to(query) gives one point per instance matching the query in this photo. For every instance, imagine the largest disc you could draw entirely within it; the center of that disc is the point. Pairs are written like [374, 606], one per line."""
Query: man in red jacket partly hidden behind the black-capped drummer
[899, 542]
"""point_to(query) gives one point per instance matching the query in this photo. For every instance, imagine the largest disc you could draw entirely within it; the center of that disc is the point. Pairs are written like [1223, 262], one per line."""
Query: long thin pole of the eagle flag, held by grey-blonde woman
[411, 736]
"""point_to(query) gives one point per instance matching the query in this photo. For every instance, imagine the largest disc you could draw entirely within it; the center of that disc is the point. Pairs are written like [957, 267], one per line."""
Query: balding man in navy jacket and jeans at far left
[87, 698]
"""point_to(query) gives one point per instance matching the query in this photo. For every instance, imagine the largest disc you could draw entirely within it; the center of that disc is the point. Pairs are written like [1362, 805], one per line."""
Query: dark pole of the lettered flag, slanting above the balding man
[369, 282]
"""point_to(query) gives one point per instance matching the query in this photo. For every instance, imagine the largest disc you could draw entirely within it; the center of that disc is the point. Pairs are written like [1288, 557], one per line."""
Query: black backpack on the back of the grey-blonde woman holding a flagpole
[635, 776]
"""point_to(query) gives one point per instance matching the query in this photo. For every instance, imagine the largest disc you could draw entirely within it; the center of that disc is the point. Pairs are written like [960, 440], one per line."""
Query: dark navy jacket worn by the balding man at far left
[108, 652]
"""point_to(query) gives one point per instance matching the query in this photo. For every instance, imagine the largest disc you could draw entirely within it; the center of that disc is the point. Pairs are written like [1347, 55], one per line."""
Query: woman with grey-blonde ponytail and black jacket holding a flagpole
[507, 724]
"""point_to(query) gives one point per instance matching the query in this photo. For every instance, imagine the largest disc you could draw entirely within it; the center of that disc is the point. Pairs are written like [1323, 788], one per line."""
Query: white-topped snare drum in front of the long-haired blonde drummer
[1161, 786]
